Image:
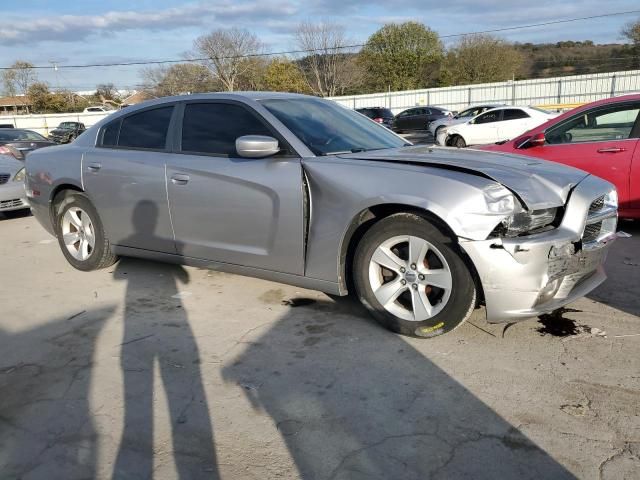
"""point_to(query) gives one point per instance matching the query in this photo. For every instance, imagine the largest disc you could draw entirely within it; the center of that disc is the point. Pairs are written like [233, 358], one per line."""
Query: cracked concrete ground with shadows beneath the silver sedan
[155, 371]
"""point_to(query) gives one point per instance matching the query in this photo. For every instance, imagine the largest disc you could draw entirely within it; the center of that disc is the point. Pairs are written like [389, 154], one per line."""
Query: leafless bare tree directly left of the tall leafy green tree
[327, 64]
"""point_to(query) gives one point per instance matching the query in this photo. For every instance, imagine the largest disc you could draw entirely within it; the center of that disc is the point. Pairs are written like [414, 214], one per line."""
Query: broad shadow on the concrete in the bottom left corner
[46, 423]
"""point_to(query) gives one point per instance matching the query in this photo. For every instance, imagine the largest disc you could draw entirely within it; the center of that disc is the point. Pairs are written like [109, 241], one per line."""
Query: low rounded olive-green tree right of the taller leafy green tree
[481, 59]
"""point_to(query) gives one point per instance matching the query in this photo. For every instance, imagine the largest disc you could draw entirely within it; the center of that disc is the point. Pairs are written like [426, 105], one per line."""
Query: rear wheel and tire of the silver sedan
[81, 235]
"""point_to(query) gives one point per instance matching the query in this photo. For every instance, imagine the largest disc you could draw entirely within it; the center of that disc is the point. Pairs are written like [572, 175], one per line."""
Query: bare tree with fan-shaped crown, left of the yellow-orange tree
[228, 54]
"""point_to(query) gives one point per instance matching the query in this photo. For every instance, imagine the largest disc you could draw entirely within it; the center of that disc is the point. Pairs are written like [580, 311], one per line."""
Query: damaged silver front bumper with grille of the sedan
[527, 276]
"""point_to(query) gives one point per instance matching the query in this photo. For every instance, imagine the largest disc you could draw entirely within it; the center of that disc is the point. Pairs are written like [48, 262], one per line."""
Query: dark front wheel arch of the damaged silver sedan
[367, 217]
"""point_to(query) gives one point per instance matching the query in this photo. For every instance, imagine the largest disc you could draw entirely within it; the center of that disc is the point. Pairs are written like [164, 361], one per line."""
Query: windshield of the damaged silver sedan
[326, 128]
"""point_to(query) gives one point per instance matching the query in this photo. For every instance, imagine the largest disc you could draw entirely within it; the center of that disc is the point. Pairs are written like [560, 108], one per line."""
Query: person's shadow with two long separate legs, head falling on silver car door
[157, 331]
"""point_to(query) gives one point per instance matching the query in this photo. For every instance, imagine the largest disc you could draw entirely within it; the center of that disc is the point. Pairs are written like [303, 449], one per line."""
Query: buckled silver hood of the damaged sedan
[537, 183]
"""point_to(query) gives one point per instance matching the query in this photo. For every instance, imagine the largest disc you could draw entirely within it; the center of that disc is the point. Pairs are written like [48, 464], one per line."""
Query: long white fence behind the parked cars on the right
[547, 91]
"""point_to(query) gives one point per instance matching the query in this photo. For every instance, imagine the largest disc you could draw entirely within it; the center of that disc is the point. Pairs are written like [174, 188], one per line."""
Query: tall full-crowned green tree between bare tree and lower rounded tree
[401, 56]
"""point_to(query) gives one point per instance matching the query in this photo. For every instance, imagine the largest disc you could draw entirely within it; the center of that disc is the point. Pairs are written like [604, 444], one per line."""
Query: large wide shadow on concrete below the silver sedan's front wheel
[354, 401]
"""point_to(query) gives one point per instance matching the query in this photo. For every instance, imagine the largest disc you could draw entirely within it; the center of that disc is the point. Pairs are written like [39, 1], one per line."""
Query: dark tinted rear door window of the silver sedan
[144, 130]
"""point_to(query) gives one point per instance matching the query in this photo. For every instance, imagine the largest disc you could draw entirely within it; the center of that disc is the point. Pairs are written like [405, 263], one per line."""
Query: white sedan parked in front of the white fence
[498, 124]
